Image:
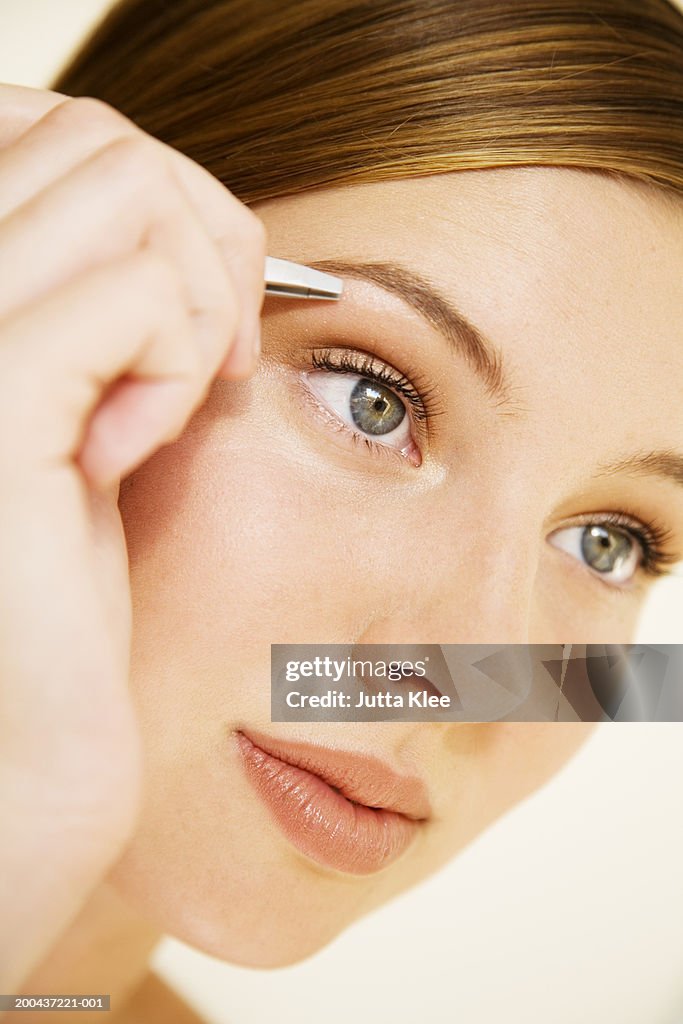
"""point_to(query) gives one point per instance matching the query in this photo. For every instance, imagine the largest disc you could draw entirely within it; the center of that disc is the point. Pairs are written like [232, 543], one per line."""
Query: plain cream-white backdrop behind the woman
[569, 910]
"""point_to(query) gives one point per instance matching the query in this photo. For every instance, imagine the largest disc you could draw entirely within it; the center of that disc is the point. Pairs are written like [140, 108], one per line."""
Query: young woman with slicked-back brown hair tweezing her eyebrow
[175, 503]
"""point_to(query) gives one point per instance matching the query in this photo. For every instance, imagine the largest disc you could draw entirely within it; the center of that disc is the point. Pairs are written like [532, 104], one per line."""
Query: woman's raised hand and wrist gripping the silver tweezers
[131, 279]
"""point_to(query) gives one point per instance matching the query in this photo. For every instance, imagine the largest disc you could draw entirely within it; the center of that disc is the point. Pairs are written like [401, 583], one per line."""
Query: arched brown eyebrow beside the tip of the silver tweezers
[464, 337]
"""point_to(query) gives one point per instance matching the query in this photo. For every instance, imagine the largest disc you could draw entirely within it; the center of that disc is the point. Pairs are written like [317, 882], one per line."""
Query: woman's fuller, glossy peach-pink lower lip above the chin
[323, 824]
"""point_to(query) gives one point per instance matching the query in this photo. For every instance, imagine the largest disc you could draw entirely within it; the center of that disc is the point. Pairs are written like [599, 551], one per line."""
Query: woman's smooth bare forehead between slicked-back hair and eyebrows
[575, 276]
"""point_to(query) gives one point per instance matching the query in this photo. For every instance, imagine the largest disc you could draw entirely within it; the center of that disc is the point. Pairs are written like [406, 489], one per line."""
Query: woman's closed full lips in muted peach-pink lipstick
[347, 812]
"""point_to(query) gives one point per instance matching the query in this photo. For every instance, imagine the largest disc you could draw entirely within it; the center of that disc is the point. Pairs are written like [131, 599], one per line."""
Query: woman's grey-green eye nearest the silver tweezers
[369, 407]
